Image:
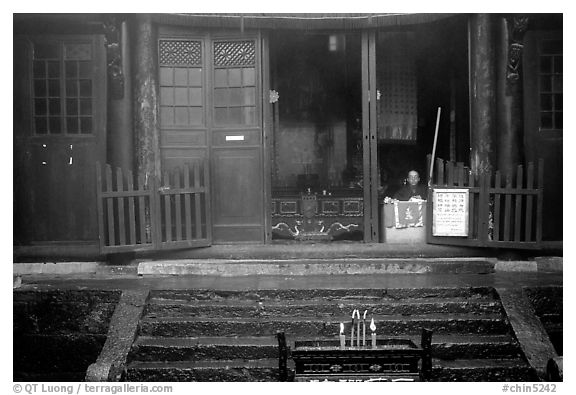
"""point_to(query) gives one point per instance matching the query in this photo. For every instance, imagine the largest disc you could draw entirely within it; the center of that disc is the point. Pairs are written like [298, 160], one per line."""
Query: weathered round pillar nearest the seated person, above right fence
[482, 93]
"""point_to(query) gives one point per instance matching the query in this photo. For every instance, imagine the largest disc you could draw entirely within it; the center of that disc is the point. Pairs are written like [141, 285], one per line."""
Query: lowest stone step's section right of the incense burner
[475, 370]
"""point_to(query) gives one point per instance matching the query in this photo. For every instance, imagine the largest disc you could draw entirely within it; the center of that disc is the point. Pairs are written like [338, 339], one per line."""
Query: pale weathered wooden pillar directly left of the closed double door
[146, 122]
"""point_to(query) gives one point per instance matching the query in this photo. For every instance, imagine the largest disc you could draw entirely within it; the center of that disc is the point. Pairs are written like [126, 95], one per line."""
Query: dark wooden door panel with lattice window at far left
[59, 134]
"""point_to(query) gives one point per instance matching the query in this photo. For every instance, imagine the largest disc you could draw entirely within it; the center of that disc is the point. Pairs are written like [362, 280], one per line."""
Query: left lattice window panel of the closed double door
[181, 83]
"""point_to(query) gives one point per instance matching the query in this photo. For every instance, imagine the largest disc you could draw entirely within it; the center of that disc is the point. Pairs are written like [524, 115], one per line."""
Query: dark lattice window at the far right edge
[550, 84]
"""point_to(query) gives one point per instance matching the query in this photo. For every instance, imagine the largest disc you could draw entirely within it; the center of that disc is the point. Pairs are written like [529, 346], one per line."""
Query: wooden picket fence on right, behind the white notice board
[505, 211]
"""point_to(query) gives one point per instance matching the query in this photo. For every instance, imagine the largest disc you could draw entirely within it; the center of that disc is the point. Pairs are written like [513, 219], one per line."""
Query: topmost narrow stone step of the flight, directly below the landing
[352, 294]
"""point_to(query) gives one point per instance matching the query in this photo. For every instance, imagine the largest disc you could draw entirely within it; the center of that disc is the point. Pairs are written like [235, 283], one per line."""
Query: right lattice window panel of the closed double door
[235, 83]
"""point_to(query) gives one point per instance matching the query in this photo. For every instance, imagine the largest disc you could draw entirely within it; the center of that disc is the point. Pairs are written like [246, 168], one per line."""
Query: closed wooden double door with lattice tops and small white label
[211, 110]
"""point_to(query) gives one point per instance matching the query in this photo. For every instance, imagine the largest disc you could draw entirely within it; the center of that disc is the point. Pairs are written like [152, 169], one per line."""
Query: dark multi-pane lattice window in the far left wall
[63, 89]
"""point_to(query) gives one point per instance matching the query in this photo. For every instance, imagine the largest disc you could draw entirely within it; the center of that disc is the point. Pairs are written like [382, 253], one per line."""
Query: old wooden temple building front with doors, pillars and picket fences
[138, 132]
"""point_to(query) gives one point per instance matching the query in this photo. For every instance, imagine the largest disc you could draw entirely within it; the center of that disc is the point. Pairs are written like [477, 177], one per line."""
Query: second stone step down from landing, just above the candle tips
[319, 307]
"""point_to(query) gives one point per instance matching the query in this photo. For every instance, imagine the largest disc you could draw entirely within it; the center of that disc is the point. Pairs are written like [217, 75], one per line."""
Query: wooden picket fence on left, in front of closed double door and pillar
[145, 214]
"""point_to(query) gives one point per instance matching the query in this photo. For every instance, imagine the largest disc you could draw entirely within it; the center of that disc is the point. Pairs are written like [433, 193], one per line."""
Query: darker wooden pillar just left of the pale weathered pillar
[120, 143]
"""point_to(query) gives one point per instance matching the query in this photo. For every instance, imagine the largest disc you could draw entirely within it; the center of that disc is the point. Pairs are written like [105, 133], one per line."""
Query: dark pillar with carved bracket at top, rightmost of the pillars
[509, 91]
